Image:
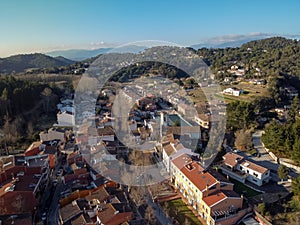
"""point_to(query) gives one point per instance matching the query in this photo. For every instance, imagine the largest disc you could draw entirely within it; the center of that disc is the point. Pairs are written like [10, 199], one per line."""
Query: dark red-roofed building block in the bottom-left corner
[20, 187]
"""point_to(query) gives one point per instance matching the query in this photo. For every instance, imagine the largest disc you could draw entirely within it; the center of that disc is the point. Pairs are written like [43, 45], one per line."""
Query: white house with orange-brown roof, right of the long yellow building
[238, 168]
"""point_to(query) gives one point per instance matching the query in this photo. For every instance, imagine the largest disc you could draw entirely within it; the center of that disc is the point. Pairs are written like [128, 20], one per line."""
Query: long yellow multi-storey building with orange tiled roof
[209, 193]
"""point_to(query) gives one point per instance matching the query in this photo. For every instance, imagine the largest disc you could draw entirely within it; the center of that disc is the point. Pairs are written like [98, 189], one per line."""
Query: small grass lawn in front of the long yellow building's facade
[183, 212]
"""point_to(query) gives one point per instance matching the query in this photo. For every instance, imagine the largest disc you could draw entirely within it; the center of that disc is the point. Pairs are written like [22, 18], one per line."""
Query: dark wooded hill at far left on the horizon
[20, 63]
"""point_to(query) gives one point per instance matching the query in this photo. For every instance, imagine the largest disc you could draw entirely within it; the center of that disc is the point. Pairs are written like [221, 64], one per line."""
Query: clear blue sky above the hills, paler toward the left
[41, 26]
